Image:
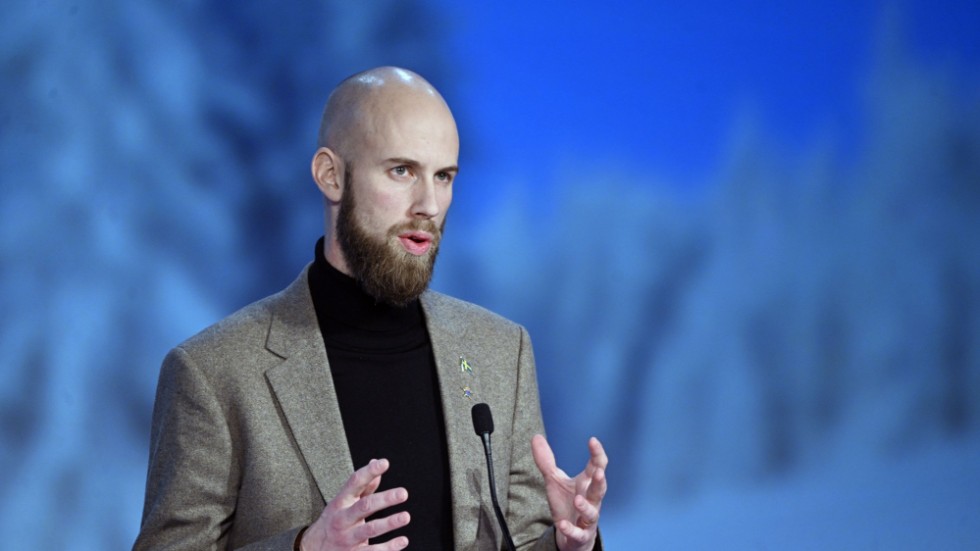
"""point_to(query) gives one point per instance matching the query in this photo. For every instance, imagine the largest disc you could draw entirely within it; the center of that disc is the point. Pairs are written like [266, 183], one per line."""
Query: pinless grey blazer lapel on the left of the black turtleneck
[303, 386]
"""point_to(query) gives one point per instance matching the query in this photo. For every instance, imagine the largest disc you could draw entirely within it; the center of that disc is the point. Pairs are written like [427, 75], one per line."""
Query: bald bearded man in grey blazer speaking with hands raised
[336, 413]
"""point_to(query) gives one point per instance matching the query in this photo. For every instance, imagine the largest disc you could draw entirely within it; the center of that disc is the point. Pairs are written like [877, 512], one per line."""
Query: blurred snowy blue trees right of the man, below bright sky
[809, 310]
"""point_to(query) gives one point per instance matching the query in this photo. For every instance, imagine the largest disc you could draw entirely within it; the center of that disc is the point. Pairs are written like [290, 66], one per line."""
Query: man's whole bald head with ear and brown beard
[387, 138]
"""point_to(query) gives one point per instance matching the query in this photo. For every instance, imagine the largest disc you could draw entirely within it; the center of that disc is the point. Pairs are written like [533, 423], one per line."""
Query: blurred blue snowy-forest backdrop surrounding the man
[743, 236]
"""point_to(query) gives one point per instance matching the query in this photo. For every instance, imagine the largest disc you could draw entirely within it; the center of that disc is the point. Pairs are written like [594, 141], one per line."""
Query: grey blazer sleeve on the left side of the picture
[193, 474]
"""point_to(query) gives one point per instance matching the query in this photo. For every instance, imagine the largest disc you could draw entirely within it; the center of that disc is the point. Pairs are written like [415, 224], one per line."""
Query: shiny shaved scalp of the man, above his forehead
[356, 103]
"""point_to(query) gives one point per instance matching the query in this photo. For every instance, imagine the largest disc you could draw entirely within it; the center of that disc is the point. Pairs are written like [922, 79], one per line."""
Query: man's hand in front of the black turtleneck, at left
[342, 525]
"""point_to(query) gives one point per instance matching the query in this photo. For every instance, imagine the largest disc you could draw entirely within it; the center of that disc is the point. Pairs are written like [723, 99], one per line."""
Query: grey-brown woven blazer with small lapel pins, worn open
[247, 442]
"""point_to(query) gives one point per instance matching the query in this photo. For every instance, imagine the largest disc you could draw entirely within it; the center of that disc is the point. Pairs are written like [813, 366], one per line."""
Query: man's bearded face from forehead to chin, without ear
[389, 235]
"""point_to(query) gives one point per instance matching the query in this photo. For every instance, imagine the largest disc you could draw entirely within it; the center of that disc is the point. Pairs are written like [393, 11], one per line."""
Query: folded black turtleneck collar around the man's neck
[349, 317]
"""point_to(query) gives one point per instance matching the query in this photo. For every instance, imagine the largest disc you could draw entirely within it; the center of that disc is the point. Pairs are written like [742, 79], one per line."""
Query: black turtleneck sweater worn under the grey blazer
[385, 376]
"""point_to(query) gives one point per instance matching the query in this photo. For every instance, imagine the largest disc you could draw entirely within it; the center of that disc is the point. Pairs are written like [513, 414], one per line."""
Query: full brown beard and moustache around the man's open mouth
[383, 268]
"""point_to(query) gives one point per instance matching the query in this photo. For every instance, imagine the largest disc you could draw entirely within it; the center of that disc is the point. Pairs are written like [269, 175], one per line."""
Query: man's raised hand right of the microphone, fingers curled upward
[574, 502]
